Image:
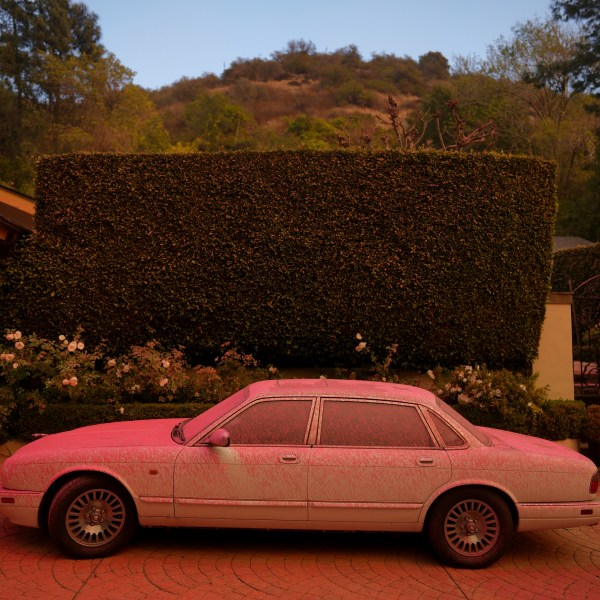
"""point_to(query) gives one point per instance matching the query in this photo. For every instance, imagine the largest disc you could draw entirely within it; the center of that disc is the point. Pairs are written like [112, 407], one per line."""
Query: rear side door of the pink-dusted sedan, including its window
[375, 461]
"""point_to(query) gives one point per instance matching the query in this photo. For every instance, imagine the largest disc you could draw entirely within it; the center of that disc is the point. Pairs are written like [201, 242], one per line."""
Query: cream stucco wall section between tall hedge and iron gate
[555, 359]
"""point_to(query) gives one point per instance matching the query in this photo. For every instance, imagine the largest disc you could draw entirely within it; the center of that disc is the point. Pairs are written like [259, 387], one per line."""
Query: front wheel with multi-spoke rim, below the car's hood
[91, 517]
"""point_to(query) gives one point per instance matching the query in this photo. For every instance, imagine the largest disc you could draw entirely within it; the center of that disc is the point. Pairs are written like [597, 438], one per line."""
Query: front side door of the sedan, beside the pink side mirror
[261, 475]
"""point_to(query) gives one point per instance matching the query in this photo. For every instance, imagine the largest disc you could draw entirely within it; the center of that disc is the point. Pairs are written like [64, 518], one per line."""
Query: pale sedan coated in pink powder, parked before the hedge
[302, 454]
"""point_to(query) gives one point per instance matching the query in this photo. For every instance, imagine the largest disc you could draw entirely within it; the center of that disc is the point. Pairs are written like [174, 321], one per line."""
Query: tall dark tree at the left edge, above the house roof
[34, 35]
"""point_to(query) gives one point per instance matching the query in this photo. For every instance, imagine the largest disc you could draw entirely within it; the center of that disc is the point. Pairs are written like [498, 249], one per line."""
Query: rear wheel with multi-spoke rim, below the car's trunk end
[470, 528]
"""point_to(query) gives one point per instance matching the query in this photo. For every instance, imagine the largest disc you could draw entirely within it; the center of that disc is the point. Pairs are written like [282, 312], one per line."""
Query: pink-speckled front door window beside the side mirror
[274, 422]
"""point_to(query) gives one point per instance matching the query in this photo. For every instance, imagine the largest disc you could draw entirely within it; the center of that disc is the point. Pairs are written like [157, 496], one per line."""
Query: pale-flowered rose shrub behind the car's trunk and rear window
[501, 398]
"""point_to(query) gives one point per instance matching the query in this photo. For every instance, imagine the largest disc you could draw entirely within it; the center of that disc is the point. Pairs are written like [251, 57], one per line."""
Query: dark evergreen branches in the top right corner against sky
[586, 63]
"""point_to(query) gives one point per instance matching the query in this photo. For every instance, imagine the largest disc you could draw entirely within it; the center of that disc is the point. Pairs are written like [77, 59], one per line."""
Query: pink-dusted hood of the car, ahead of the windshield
[155, 432]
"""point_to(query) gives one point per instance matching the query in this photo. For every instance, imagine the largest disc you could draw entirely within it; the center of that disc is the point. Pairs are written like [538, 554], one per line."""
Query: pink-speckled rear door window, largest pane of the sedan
[355, 423]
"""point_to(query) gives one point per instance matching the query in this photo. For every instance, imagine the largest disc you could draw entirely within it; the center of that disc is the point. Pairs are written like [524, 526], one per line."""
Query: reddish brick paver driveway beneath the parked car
[235, 565]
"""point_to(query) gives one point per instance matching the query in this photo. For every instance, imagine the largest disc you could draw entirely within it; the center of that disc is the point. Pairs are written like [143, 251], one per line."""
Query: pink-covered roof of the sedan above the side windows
[339, 388]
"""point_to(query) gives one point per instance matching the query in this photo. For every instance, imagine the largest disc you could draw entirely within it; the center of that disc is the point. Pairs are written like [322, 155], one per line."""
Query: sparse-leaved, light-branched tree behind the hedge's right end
[525, 85]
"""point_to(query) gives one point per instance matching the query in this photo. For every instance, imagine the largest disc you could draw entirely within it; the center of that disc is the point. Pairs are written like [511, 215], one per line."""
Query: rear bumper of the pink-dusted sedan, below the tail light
[547, 515]
